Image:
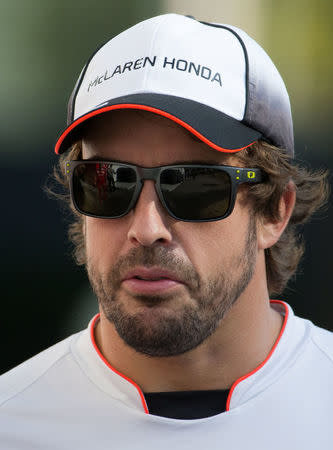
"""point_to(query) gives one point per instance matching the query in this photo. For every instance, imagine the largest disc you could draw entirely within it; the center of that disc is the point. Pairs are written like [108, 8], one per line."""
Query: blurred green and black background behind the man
[43, 46]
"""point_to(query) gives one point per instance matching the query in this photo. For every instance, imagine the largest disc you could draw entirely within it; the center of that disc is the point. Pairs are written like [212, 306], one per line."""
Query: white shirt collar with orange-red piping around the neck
[122, 388]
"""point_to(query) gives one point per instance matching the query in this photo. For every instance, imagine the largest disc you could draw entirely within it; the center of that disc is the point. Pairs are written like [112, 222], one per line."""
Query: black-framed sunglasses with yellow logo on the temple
[189, 192]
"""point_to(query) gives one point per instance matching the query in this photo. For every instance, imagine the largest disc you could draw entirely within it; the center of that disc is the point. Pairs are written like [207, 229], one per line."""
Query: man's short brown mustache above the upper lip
[155, 257]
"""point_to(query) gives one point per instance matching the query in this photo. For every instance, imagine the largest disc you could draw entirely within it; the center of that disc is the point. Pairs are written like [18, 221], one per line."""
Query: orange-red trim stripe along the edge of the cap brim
[150, 109]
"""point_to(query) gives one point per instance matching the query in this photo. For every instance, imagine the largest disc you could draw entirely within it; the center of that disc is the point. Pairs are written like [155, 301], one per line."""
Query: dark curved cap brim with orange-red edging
[214, 128]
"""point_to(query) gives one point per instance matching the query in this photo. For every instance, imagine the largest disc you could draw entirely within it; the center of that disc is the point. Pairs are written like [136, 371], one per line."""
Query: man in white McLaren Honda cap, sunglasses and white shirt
[179, 160]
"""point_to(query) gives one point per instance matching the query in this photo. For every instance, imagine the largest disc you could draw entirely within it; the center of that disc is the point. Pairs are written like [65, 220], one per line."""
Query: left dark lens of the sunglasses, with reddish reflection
[103, 189]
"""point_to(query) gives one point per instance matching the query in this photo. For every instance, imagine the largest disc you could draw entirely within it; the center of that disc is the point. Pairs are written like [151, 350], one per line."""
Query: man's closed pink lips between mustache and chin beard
[144, 280]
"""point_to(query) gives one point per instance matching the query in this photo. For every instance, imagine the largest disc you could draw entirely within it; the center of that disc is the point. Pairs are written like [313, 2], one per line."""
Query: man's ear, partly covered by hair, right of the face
[269, 231]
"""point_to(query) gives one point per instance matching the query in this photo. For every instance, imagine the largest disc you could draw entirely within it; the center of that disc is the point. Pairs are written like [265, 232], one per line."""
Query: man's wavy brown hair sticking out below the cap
[282, 259]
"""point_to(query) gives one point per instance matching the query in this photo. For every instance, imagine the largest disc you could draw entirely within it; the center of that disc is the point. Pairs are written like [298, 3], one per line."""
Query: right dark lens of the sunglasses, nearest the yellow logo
[196, 193]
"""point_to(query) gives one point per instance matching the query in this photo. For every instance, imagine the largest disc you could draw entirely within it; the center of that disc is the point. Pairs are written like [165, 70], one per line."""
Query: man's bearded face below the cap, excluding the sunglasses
[206, 265]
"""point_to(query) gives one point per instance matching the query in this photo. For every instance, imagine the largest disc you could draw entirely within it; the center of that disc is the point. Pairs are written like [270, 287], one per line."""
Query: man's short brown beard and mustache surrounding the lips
[158, 329]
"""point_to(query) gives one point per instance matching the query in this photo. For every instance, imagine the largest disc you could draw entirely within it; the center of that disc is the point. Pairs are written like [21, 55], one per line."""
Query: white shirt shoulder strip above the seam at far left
[24, 375]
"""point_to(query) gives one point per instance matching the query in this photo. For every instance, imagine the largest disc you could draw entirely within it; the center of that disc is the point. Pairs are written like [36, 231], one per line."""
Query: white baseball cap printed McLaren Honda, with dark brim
[212, 79]
